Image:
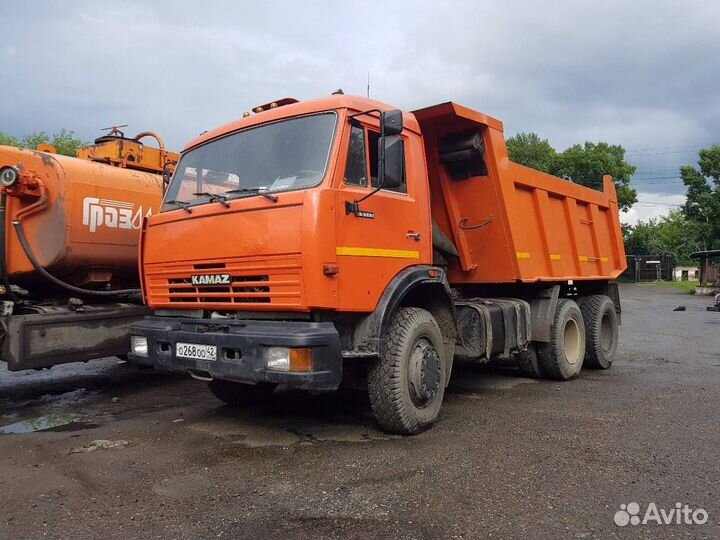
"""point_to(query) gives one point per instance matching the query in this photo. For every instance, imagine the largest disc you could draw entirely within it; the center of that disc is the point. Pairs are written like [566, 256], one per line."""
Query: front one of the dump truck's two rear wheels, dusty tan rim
[562, 357]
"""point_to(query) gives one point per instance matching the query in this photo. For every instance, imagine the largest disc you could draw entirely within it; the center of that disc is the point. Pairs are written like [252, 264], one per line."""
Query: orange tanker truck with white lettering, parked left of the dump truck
[68, 247]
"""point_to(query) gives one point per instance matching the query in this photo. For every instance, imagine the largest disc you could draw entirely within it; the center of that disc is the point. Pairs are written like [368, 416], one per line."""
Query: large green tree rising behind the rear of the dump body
[587, 164]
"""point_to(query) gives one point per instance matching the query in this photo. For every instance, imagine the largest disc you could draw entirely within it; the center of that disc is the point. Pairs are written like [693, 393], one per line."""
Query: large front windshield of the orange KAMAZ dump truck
[282, 156]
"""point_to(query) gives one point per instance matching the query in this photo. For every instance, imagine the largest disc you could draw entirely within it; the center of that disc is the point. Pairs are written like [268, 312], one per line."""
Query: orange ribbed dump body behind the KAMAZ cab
[512, 223]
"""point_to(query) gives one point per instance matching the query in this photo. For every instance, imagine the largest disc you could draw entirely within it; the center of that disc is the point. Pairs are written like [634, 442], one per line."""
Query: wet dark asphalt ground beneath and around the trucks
[509, 458]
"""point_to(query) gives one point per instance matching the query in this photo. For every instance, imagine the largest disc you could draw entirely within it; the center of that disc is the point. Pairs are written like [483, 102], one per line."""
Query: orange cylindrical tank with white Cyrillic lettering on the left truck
[80, 217]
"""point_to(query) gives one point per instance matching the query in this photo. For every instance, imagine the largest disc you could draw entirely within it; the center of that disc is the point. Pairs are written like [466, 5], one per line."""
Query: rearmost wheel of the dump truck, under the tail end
[601, 331]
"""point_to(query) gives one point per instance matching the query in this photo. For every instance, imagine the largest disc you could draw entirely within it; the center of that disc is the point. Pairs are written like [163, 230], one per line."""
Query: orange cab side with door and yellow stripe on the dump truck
[393, 233]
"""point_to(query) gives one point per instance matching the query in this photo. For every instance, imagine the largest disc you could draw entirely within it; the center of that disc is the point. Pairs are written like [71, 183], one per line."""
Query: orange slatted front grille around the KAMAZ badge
[271, 281]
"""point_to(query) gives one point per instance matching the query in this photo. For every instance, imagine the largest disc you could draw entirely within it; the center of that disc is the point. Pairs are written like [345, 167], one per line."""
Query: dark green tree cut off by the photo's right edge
[702, 206]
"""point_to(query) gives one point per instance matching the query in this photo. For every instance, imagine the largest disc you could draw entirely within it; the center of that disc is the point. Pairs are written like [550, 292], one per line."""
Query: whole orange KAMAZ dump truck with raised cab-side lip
[340, 241]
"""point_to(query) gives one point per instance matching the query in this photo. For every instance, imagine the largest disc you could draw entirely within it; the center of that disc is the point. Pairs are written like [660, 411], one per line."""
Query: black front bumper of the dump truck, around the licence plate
[240, 349]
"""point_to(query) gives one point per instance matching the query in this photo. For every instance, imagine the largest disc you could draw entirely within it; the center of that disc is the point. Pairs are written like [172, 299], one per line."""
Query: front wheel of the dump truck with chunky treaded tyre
[407, 383]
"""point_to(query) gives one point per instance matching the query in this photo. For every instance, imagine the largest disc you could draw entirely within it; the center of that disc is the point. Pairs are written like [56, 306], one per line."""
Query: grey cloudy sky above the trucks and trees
[643, 74]
